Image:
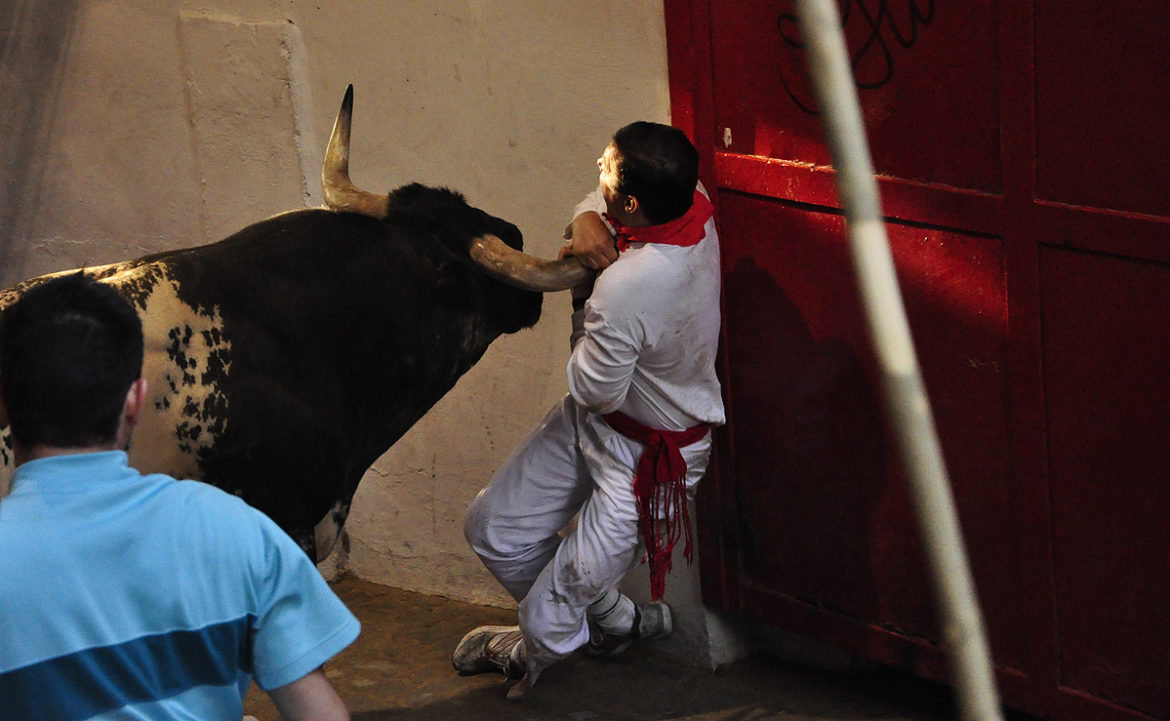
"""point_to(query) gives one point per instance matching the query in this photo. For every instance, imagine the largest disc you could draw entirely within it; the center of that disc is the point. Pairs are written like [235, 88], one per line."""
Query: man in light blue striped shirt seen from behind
[127, 595]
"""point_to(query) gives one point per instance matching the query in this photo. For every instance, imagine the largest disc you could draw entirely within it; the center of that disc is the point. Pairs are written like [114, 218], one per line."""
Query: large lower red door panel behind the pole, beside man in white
[827, 513]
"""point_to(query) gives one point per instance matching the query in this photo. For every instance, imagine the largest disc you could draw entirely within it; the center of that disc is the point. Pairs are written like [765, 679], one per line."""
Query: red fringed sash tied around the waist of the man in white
[660, 479]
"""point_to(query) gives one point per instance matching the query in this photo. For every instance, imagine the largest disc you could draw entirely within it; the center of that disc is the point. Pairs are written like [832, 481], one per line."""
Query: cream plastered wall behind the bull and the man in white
[129, 127]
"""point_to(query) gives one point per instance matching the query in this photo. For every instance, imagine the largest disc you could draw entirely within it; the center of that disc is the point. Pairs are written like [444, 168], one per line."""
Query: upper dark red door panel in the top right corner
[1103, 100]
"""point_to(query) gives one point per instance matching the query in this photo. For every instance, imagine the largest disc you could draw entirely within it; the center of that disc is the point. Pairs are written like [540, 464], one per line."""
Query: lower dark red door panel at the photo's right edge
[1107, 388]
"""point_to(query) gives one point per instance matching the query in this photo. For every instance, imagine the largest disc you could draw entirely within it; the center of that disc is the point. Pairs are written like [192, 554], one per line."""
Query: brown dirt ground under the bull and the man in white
[400, 669]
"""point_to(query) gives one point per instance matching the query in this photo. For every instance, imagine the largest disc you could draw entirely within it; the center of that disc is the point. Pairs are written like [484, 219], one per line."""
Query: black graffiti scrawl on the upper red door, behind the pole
[873, 59]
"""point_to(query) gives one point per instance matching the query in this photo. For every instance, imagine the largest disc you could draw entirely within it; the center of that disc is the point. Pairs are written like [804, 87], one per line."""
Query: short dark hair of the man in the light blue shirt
[70, 352]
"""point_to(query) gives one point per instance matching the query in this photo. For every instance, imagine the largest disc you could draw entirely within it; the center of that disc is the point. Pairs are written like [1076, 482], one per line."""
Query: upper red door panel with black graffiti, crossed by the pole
[905, 54]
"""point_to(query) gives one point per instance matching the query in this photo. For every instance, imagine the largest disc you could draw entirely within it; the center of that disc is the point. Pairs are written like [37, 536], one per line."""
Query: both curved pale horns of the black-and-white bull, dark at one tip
[493, 255]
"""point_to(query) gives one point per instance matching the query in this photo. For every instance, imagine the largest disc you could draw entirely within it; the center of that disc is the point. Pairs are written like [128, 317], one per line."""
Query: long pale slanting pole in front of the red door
[906, 399]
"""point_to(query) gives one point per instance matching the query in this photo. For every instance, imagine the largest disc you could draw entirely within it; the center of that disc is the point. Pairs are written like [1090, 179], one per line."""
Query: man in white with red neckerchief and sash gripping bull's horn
[629, 444]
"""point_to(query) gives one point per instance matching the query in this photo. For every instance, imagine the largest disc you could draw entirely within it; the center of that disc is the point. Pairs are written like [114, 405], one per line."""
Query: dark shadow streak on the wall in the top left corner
[35, 42]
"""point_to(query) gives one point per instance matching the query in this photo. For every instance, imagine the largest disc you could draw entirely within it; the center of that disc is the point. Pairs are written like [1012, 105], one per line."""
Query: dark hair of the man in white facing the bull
[659, 167]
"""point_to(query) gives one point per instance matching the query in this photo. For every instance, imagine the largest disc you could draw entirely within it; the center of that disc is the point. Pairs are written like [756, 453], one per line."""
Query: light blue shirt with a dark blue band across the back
[125, 594]
